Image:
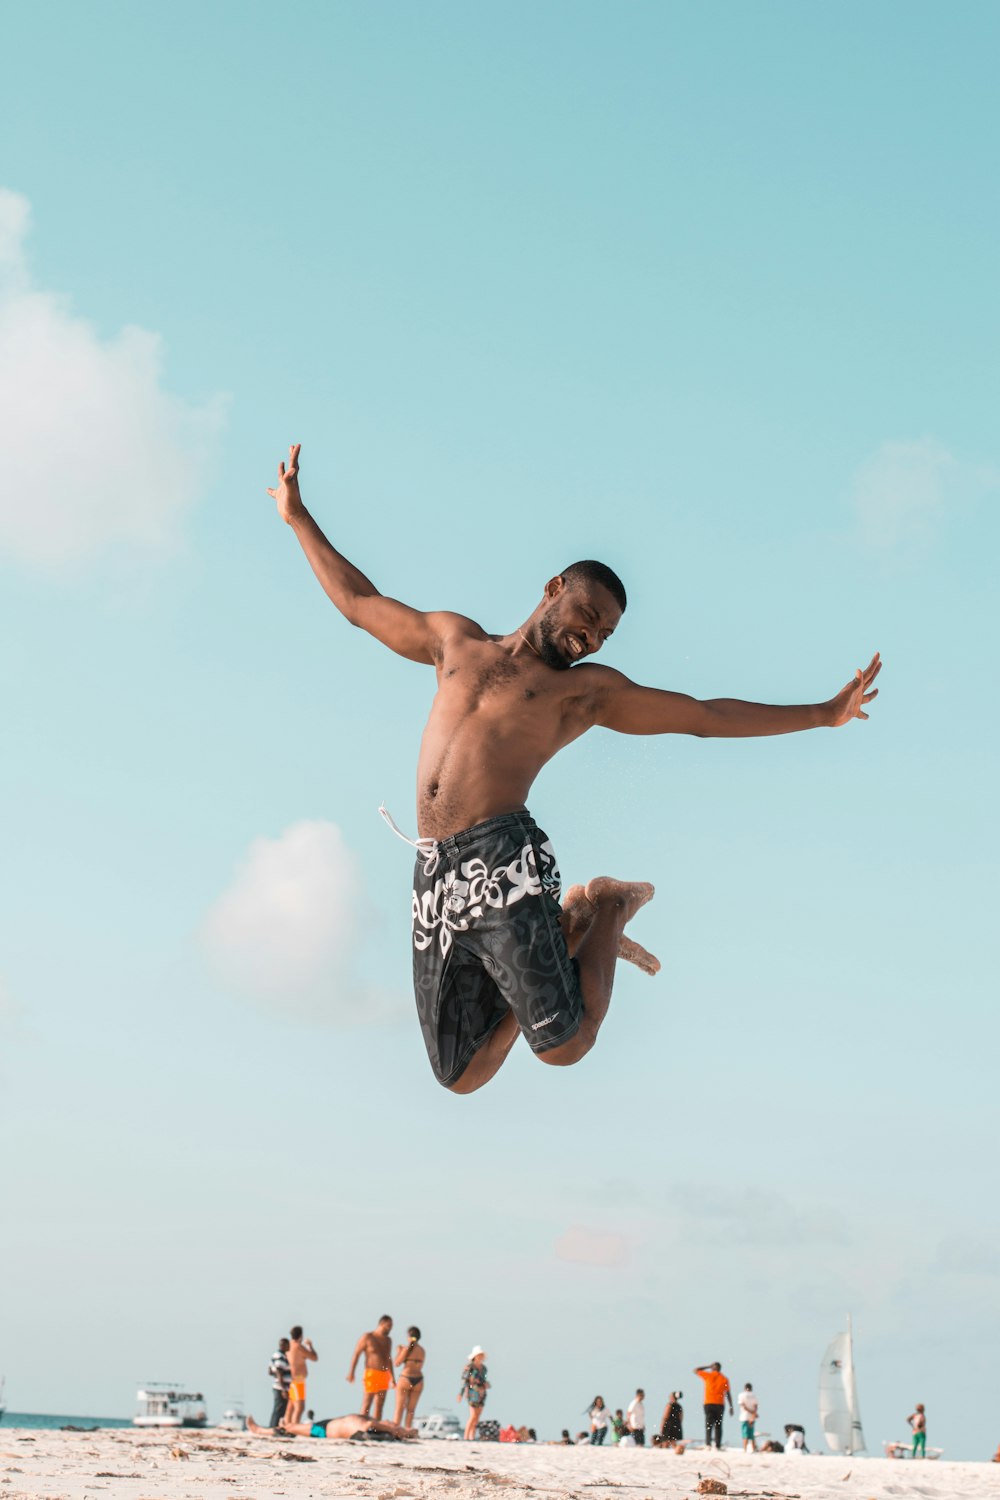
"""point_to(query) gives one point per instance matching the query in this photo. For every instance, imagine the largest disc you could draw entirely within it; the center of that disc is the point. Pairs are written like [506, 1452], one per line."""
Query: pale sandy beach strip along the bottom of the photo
[233, 1466]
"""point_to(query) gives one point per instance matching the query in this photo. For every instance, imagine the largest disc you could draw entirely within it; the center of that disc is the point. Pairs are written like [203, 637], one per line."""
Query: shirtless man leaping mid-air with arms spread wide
[494, 956]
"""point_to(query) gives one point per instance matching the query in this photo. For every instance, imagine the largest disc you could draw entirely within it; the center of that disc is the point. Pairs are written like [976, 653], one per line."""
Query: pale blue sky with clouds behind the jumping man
[705, 290]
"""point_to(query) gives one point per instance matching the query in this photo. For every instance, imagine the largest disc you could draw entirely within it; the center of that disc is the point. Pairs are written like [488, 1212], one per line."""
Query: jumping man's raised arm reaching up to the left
[409, 632]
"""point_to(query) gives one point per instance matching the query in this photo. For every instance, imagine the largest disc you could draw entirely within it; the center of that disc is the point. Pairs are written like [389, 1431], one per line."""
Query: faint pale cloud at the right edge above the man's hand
[908, 491]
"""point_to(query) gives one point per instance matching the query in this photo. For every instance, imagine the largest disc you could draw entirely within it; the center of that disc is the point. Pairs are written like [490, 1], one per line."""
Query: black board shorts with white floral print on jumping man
[488, 943]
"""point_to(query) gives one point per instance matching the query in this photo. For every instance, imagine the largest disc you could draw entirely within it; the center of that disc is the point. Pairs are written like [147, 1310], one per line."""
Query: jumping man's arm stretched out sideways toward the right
[633, 710]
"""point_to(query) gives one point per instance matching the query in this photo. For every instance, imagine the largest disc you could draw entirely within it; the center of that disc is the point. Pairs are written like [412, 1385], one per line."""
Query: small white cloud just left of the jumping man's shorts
[289, 932]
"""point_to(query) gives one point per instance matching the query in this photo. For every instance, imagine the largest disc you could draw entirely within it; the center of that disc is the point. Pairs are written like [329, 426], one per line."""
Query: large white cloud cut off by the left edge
[94, 452]
